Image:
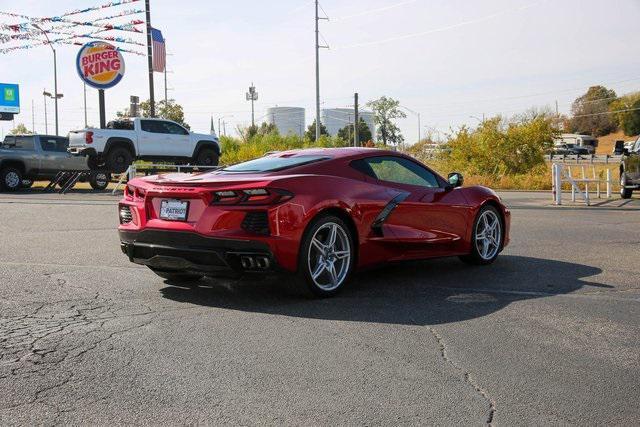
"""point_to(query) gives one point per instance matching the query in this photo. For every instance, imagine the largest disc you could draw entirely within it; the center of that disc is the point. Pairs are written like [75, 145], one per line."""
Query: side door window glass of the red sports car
[401, 171]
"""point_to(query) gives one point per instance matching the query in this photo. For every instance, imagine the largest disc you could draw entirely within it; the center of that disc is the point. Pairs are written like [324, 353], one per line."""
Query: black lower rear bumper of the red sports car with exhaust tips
[185, 251]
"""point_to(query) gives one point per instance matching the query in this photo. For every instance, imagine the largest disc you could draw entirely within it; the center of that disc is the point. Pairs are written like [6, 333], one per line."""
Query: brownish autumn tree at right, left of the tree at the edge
[591, 112]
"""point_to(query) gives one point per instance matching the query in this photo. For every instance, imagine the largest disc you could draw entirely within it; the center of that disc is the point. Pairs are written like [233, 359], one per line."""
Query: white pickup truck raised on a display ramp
[142, 138]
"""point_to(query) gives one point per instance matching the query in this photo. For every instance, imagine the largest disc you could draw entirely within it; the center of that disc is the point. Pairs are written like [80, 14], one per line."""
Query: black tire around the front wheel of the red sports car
[478, 256]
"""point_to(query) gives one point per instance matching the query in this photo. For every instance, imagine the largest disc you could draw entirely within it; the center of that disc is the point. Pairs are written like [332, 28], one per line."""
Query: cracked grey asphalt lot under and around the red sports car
[549, 334]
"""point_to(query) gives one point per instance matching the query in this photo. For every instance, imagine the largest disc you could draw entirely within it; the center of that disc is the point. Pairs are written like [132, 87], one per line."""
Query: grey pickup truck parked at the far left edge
[26, 158]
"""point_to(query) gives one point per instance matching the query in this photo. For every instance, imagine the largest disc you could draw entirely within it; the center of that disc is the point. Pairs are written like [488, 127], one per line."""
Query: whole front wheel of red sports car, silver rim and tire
[487, 237]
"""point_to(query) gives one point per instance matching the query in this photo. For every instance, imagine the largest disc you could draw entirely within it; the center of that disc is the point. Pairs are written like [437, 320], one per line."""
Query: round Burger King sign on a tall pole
[100, 65]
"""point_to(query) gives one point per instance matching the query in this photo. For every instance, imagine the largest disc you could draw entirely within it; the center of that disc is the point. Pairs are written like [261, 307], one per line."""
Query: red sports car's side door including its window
[428, 219]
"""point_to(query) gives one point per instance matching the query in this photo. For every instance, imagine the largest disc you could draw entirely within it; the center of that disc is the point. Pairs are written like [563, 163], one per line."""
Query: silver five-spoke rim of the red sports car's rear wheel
[329, 256]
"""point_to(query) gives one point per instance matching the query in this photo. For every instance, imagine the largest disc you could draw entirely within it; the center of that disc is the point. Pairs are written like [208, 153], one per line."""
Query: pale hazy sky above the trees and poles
[447, 59]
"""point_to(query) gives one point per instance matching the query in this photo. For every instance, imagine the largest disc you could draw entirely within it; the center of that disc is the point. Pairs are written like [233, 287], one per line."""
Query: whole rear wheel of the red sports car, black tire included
[336, 271]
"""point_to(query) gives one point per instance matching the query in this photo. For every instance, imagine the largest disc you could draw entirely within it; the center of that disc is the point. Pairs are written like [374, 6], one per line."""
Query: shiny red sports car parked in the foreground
[318, 214]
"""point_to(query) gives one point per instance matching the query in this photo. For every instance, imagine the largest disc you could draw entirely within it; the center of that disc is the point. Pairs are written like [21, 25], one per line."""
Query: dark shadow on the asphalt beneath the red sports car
[418, 293]
